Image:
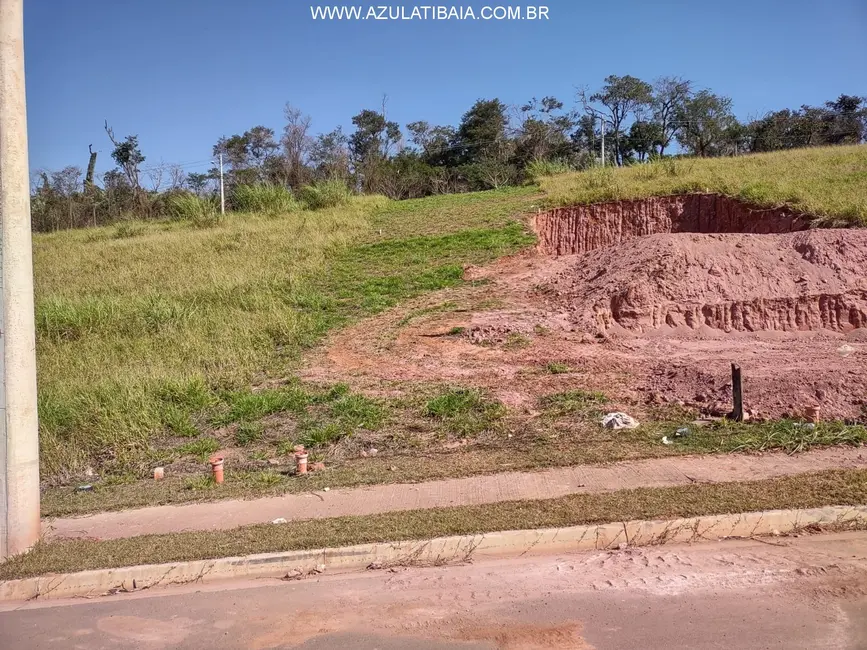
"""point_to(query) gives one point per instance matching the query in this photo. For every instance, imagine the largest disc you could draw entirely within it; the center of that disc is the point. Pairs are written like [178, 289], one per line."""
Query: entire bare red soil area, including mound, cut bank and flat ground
[648, 301]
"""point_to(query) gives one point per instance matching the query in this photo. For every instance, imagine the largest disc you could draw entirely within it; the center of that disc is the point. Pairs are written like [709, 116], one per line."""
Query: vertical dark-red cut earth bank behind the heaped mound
[577, 229]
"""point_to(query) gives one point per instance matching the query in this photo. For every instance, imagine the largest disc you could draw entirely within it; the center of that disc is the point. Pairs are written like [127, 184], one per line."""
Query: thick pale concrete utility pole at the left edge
[19, 432]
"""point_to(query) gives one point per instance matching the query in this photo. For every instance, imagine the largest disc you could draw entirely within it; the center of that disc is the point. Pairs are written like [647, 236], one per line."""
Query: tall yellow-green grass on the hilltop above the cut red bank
[829, 182]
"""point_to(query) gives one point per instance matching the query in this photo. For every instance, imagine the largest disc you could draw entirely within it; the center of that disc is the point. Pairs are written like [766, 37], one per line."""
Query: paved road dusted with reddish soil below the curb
[808, 592]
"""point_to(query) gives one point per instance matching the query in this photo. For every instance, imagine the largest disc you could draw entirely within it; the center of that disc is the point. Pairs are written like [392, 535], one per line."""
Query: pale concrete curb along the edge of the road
[443, 550]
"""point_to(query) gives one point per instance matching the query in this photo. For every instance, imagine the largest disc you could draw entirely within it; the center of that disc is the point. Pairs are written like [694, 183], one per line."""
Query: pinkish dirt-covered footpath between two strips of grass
[682, 470]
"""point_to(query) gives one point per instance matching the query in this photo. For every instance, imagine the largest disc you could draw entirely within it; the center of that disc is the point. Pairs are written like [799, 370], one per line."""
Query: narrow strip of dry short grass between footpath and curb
[839, 487]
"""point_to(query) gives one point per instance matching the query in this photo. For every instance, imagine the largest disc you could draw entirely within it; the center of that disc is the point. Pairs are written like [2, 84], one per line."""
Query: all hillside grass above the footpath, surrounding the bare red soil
[161, 343]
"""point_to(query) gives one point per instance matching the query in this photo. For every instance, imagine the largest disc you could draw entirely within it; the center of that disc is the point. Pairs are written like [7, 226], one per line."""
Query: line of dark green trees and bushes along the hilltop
[493, 145]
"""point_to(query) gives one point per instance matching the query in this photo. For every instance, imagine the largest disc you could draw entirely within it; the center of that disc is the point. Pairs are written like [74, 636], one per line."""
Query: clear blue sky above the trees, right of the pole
[181, 73]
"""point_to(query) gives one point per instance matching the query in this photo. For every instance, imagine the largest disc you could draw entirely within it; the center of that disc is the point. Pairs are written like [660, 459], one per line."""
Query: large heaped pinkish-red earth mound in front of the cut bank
[799, 281]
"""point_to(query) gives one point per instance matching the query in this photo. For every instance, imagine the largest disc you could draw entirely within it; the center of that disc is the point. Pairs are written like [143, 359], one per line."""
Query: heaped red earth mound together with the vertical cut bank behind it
[639, 266]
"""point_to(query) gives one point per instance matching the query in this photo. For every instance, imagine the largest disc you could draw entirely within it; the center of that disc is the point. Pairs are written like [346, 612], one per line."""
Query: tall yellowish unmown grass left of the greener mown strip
[136, 335]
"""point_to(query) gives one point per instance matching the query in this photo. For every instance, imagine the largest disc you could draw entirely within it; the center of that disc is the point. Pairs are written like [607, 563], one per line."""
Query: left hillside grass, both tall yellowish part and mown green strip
[143, 328]
